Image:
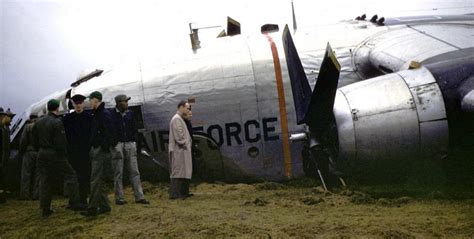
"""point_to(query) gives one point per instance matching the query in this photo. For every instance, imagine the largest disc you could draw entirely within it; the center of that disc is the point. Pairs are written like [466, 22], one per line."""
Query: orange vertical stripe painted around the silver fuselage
[282, 107]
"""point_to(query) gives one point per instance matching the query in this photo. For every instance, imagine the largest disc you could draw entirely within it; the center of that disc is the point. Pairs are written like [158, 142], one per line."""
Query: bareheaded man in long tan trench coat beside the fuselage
[181, 165]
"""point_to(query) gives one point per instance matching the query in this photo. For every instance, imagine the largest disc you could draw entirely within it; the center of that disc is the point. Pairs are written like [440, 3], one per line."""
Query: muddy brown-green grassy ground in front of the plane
[298, 208]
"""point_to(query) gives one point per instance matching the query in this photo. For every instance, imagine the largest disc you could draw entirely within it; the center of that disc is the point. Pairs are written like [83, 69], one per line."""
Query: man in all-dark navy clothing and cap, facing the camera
[78, 130]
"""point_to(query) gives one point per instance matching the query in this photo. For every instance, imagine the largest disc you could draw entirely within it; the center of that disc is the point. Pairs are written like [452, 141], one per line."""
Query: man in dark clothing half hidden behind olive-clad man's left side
[29, 174]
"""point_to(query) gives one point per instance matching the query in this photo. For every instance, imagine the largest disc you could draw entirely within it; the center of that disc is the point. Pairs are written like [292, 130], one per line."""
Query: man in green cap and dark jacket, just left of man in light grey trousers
[100, 155]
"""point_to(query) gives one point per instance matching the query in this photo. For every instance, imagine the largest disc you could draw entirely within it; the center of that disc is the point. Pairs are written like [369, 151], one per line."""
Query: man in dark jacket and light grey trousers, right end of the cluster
[125, 135]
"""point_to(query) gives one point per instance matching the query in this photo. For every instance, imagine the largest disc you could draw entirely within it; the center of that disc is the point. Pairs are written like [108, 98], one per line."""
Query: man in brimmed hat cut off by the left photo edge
[5, 120]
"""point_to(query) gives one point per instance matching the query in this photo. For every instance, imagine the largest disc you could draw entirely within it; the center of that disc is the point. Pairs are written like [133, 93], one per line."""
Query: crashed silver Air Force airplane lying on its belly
[275, 105]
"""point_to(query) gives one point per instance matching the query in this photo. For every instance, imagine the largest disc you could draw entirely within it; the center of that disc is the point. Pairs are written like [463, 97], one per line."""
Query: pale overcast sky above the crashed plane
[44, 45]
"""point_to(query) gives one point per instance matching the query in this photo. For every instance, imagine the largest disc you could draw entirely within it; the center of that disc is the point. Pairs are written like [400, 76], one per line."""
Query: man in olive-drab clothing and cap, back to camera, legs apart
[50, 140]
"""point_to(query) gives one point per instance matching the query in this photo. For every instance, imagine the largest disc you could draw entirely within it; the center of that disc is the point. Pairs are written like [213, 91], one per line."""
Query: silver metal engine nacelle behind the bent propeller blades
[395, 116]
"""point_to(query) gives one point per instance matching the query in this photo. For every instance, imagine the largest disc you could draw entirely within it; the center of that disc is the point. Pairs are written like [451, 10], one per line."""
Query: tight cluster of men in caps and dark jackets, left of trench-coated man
[87, 150]
